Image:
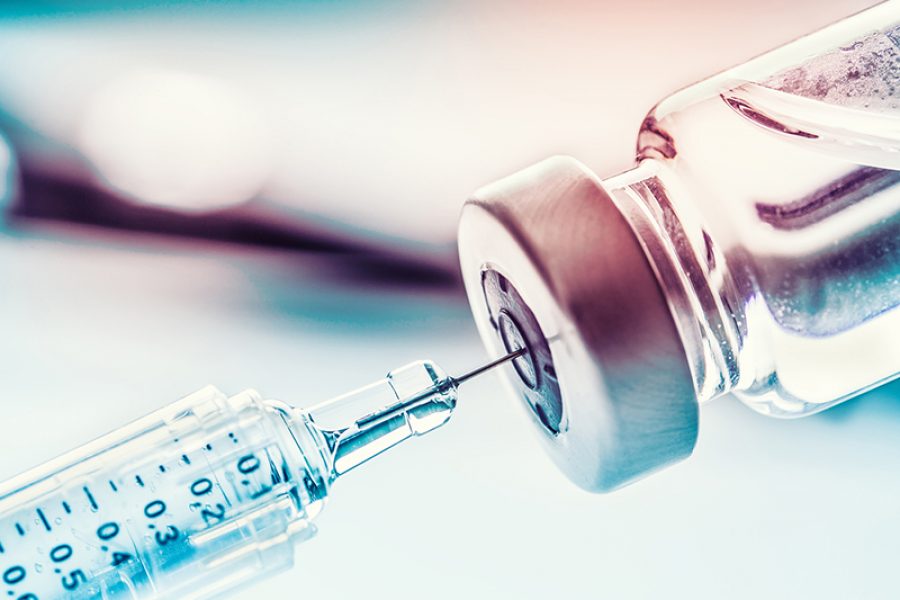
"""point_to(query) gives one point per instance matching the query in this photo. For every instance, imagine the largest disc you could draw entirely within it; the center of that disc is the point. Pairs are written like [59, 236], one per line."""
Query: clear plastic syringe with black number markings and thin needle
[204, 495]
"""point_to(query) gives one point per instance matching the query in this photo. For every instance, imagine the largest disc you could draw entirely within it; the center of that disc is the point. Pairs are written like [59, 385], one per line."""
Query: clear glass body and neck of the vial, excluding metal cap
[778, 186]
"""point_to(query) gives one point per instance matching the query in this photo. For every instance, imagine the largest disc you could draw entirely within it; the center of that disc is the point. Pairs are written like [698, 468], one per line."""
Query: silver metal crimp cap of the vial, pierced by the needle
[607, 380]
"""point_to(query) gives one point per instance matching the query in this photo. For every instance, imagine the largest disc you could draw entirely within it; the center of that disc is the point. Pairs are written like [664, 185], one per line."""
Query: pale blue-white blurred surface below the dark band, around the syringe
[96, 335]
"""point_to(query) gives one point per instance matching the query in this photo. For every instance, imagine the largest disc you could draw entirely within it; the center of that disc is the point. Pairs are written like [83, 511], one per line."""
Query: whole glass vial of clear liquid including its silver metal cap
[766, 208]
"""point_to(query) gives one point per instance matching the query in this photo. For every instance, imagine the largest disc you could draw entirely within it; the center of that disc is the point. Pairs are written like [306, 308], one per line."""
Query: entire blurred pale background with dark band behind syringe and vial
[265, 194]
